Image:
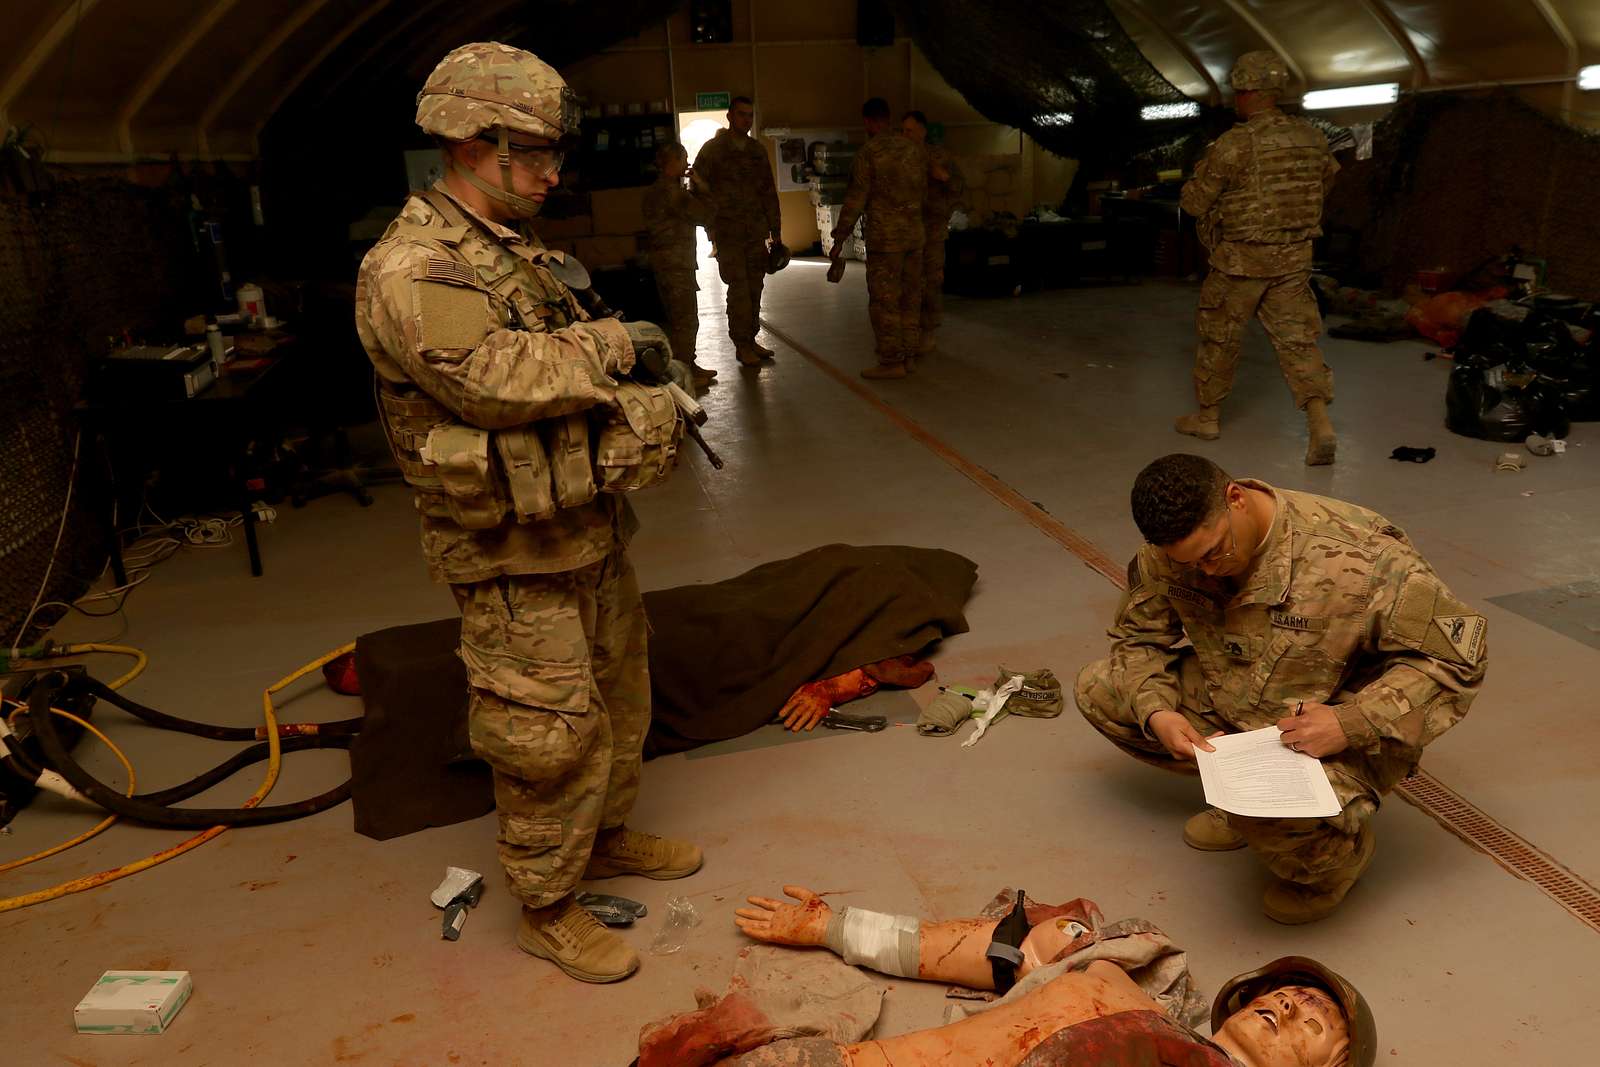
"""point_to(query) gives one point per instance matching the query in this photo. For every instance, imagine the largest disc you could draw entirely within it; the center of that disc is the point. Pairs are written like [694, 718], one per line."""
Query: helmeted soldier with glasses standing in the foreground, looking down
[492, 378]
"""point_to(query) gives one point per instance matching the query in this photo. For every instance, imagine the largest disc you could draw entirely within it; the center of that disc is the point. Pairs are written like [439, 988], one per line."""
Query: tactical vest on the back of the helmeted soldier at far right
[1281, 199]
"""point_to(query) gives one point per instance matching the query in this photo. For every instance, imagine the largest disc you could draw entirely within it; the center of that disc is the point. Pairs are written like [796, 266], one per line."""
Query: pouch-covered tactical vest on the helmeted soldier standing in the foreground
[478, 478]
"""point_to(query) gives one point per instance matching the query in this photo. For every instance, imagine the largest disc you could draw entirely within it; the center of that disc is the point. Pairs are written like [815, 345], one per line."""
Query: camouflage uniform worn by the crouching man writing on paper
[1338, 610]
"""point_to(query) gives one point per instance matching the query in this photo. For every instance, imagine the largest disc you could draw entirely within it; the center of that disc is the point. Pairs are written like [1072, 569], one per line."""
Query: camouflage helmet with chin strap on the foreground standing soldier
[495, 89]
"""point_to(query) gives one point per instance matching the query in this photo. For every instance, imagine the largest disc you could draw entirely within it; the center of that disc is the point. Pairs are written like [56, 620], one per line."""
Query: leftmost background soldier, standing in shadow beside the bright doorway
[671, 215]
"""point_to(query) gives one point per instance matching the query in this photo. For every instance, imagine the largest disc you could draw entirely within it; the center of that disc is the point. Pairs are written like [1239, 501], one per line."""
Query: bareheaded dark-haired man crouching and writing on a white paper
[1302, 613]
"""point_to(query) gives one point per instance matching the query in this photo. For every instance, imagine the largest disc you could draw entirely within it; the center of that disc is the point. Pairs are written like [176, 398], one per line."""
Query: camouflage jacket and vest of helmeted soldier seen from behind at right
[1258, 196]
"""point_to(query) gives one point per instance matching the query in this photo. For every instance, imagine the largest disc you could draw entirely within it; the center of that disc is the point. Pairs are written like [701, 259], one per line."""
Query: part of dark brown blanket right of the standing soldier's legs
[724, 658]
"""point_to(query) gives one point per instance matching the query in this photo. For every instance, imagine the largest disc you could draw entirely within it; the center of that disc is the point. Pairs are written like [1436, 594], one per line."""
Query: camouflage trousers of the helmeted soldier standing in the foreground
[559, 708]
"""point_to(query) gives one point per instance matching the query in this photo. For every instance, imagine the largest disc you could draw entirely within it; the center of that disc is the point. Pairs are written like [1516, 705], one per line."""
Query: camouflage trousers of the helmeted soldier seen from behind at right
[1289, 313]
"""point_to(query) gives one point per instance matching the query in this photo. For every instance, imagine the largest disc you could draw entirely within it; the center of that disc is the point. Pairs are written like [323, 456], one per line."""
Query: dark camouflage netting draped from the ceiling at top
[1018, 63]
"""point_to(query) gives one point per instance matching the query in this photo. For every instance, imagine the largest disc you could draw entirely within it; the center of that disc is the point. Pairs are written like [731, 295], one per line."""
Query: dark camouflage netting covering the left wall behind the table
[79, 263]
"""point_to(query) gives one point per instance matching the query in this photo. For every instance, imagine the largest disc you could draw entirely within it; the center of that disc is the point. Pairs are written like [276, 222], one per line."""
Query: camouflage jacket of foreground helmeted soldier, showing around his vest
[434, 324]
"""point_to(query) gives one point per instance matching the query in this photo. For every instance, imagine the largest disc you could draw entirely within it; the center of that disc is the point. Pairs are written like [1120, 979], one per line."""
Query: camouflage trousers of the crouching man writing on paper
[1310, 852]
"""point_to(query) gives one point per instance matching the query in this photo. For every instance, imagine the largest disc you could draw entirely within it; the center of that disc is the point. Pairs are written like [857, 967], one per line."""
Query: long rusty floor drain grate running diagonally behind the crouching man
[1423, 791]
